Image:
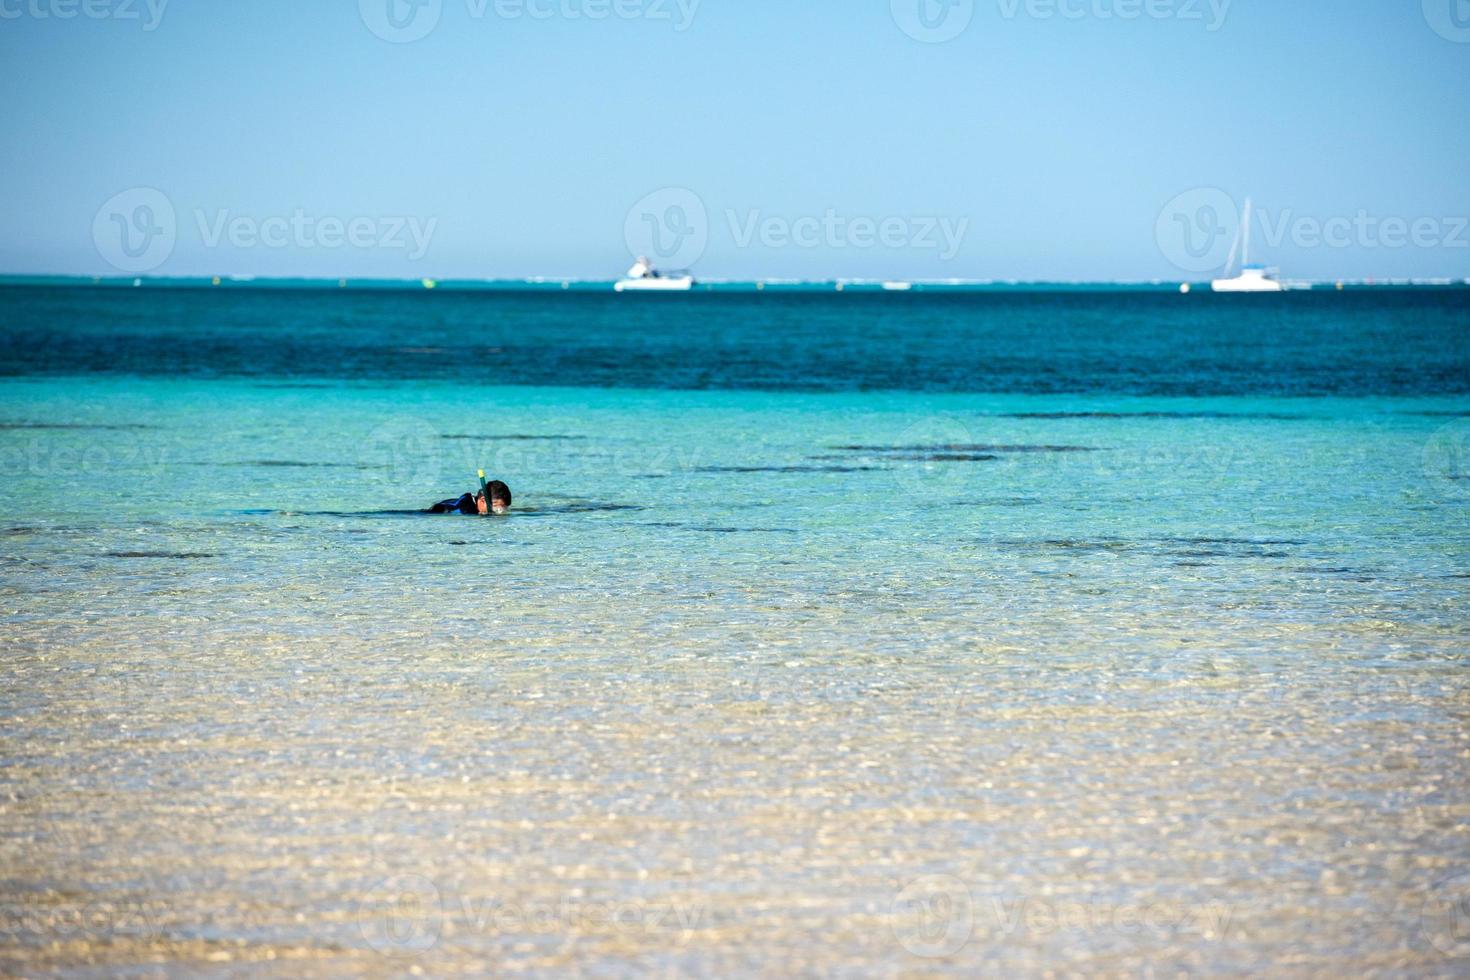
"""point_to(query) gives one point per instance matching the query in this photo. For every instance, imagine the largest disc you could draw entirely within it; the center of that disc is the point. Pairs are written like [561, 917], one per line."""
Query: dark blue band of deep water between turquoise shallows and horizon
[1124, 343]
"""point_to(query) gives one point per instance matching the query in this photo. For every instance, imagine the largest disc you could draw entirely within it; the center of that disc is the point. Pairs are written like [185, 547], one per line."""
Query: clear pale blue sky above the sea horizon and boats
[1039, 140]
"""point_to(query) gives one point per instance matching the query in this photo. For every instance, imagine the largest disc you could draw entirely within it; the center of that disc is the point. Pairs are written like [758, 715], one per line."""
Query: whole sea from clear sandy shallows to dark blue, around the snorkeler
[1074, 672]
